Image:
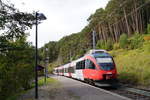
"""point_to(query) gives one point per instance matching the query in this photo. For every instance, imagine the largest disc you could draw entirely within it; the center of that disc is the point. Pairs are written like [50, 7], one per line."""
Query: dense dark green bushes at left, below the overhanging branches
[16, 69]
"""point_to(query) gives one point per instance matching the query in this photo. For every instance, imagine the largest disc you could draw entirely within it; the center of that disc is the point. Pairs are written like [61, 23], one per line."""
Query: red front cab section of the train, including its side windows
[99, 68]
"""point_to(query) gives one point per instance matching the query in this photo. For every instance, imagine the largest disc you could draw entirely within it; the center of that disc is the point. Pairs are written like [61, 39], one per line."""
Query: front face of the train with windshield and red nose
[106, 68]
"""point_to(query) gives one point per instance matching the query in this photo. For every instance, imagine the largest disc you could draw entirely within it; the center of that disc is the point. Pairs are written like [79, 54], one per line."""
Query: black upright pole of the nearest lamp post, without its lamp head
[36, 59]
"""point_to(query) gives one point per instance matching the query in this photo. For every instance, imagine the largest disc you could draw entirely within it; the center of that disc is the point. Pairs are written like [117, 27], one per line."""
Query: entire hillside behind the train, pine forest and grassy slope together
[122, 28]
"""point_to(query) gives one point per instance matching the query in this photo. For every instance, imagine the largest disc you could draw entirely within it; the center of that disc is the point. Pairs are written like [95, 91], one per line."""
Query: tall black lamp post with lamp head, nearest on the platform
[38, 17]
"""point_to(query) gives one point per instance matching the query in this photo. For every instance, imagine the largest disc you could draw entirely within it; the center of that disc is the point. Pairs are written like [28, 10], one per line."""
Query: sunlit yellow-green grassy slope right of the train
[133, 65]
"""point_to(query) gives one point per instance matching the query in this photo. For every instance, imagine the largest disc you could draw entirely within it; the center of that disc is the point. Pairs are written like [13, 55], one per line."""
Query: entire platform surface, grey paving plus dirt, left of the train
[69, 89]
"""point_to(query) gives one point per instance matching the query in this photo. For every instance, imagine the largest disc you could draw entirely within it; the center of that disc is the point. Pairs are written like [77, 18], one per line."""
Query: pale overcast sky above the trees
[64, 17]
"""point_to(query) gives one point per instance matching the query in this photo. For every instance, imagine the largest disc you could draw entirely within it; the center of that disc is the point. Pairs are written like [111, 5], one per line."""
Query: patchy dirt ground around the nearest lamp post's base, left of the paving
[50, 92]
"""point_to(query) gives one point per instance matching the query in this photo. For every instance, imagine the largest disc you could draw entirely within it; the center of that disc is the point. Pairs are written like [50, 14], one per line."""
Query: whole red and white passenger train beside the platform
[96, 67]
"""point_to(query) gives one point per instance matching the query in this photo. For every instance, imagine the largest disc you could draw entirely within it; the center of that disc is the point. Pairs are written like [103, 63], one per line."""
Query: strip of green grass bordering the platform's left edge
[41, 82]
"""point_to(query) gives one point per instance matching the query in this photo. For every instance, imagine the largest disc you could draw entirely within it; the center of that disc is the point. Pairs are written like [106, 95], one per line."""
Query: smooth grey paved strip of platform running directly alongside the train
[85, 91]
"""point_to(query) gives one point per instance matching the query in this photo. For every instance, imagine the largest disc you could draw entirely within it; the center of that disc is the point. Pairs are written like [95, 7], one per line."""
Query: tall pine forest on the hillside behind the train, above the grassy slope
[124, 18]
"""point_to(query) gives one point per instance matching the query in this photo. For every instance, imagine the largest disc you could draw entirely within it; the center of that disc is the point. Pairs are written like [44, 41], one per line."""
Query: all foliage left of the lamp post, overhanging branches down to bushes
[16, 55]
